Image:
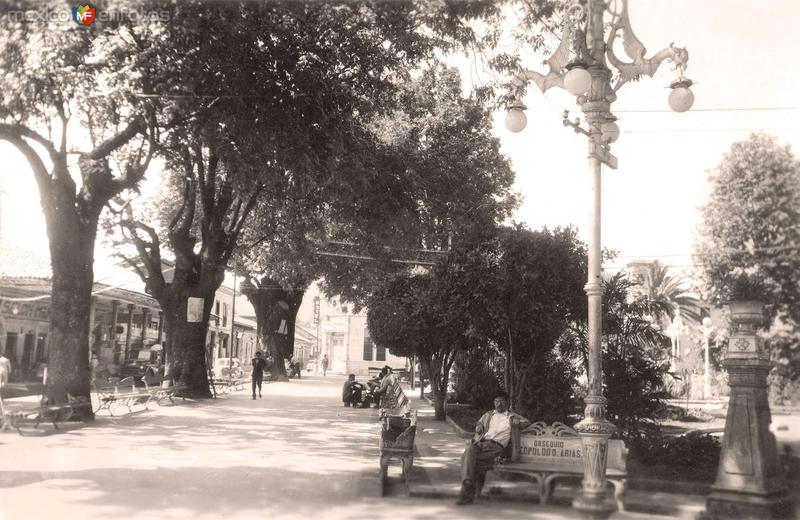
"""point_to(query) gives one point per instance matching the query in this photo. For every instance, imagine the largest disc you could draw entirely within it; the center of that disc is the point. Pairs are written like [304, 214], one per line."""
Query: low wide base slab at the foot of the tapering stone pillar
[735, 505]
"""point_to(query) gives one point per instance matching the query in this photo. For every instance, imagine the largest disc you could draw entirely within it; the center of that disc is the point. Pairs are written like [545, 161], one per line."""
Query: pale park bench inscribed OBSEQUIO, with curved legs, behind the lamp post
[546, 453]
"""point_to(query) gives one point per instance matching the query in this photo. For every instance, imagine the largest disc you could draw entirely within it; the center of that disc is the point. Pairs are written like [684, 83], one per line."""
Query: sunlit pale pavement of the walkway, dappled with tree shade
[295, 453]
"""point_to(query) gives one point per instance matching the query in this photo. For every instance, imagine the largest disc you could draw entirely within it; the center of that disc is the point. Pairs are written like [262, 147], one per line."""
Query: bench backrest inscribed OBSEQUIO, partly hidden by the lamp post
[559, 446]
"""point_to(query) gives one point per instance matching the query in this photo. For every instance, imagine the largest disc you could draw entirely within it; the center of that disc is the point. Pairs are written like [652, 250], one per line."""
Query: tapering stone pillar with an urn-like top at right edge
[750, 481]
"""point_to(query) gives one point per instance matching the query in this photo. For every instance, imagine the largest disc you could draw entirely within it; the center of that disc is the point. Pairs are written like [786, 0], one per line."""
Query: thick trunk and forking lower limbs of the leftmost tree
[71, 214]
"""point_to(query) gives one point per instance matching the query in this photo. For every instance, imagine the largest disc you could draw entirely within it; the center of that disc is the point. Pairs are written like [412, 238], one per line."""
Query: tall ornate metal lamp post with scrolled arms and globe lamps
[579, 66]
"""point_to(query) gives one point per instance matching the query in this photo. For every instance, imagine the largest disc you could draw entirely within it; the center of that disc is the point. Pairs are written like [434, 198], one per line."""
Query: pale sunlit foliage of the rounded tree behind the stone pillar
[750, 238]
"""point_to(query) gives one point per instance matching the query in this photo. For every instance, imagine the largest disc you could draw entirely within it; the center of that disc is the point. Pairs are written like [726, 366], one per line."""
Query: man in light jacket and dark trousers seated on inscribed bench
[492, 437]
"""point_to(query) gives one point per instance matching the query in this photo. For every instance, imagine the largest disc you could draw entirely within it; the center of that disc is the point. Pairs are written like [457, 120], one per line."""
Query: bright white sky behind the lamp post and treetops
[742, 55]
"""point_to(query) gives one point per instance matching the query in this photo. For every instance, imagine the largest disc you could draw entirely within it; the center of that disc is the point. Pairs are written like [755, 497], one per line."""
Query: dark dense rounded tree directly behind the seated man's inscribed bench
[521, 289]
